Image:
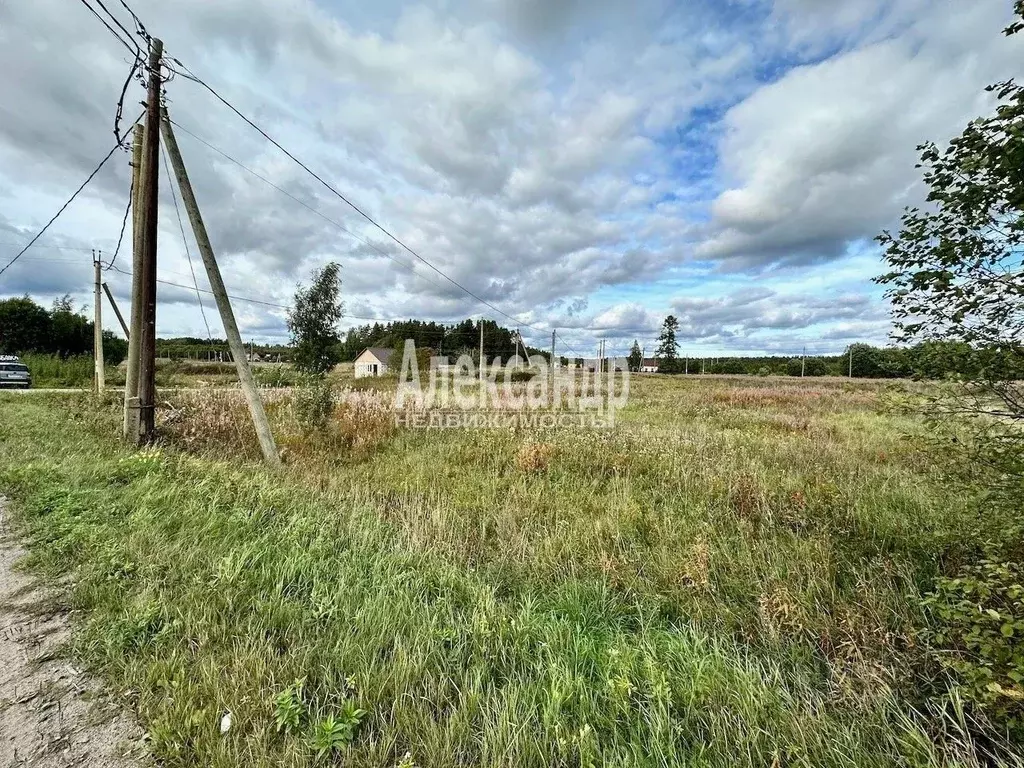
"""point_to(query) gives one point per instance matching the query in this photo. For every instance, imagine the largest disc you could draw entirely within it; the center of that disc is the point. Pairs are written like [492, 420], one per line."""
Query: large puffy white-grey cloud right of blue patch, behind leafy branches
[826, 156]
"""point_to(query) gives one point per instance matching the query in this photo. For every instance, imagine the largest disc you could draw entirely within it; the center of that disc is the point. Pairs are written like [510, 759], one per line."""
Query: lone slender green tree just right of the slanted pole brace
[314, 322]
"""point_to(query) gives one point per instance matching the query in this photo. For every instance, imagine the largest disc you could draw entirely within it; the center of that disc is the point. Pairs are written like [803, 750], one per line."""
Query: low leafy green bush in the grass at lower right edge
[976, 633]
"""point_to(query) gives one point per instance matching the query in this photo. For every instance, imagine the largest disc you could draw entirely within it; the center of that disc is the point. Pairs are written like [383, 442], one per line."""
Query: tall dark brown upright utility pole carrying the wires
[149, 206]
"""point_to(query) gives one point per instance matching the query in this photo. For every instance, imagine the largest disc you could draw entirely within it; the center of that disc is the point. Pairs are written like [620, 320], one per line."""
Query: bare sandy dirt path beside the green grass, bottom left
[52, 714]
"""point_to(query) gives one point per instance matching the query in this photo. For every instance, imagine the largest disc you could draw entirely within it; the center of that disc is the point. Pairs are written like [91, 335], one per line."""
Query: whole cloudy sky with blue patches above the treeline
[586, 165]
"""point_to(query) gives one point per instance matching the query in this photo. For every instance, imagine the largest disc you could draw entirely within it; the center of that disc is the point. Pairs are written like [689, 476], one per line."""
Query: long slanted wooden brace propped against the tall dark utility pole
[267, 443]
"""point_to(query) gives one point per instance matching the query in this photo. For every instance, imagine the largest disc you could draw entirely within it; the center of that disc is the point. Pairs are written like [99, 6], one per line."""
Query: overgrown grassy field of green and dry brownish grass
[730, 578]
